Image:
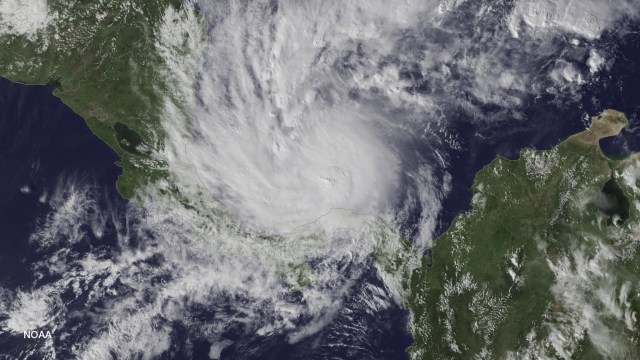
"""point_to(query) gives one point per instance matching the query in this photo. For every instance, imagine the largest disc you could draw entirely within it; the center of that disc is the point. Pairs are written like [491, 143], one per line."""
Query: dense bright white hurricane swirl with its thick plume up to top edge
[286, 127]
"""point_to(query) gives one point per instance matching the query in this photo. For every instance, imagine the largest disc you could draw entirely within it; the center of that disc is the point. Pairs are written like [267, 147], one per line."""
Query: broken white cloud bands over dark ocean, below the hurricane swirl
[162, 269]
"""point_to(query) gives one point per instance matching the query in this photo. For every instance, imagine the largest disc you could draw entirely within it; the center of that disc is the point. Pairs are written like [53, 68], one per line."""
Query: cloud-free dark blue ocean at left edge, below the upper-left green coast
[41, 139]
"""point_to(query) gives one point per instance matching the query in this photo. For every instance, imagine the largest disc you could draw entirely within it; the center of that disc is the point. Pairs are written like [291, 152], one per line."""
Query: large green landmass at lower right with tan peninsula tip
[546, 263]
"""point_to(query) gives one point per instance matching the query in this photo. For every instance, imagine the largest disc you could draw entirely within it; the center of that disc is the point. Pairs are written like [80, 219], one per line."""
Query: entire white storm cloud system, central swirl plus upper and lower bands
[302, 135]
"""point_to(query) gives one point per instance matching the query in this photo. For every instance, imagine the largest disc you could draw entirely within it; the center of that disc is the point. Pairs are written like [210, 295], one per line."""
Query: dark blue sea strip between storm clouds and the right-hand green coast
[549, 121]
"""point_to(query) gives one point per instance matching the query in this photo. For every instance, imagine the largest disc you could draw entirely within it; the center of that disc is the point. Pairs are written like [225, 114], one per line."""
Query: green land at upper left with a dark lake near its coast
[100, 55]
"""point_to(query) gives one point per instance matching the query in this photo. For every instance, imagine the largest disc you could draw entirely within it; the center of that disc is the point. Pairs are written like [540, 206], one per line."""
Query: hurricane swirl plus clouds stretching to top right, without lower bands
[284, 111]
